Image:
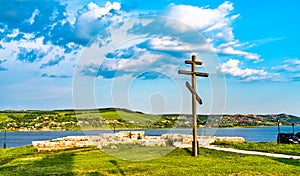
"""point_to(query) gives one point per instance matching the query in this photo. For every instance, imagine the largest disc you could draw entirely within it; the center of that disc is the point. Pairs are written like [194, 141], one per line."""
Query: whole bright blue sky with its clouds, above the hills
[87, 54]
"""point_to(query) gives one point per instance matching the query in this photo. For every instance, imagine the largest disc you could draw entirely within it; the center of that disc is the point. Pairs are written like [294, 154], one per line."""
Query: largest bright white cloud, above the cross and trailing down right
[214, 24]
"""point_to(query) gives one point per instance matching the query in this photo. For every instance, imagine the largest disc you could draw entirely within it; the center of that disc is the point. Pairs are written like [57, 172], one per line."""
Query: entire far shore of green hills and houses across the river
[110, 118]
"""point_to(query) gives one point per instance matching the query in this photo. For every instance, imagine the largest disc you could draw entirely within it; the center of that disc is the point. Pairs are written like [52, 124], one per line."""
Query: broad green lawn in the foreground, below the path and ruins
[27, 161]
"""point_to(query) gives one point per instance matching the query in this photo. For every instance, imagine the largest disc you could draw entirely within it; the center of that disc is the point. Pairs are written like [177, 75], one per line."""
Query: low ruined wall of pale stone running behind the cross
[129, 137]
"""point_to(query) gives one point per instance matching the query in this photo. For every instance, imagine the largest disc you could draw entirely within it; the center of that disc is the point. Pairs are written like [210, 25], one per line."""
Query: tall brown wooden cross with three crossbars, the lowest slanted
[195, 97]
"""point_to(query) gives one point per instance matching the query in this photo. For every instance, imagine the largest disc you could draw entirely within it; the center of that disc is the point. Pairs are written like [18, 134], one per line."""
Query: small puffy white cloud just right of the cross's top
[231, 67]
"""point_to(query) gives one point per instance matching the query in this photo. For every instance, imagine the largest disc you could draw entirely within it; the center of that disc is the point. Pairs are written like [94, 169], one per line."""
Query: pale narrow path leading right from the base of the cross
[252, 152]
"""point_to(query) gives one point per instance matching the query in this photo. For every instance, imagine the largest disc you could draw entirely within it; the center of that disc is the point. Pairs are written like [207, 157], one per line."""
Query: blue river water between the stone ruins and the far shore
[257, 134]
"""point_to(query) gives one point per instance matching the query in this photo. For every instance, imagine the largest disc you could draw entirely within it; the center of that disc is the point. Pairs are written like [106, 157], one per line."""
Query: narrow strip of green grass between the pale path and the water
[271, 147]
